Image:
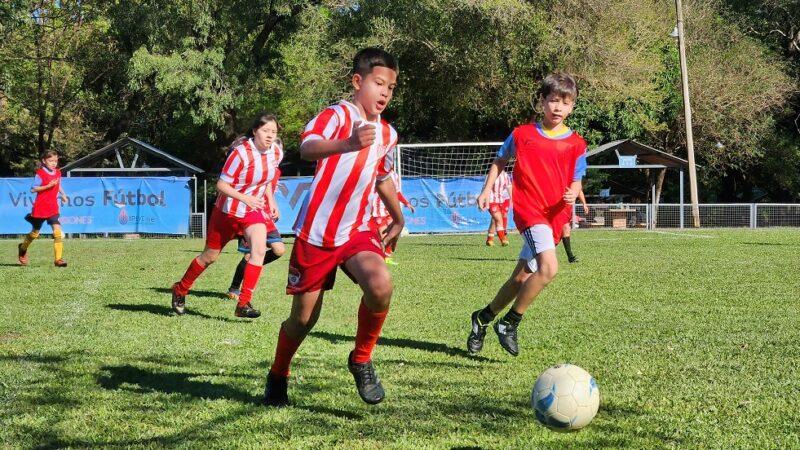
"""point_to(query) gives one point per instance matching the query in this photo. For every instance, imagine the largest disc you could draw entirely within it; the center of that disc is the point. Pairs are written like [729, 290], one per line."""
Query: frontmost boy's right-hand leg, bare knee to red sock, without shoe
[372, 275]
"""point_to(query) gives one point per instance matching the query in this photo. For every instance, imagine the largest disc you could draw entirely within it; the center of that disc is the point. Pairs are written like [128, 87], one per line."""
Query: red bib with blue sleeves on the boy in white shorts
[545, 167]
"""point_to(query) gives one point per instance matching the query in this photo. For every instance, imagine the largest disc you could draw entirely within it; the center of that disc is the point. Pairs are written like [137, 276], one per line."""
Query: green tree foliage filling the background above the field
[188, 75]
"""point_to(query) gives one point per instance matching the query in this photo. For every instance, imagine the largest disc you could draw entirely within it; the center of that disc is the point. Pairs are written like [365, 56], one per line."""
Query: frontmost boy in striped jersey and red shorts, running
[353, 149]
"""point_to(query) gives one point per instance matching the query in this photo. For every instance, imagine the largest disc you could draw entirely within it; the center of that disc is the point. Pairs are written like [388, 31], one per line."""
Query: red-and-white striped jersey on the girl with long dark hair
[249, 172]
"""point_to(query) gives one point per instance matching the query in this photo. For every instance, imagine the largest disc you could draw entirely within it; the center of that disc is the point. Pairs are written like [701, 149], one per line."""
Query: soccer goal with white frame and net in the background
[443, 181]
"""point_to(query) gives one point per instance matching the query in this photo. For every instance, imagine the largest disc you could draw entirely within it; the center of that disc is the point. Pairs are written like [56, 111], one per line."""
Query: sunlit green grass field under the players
[694, 339]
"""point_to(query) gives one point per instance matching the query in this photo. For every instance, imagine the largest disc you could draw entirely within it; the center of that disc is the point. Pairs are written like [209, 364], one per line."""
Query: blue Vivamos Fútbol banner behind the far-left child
[104, 205]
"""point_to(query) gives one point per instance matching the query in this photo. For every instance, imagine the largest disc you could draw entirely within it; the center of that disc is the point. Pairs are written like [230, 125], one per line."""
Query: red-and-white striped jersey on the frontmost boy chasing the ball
[339, 202]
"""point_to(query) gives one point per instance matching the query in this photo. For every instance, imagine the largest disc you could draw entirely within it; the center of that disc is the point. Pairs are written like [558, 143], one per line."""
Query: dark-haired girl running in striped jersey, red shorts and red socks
[244, 184]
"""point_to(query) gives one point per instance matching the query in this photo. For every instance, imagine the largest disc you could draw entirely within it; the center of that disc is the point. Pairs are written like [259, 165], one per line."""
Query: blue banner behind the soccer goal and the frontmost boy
[442, 205]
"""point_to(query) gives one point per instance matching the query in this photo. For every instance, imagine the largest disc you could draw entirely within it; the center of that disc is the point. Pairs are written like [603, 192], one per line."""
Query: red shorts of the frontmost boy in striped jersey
[313, 268]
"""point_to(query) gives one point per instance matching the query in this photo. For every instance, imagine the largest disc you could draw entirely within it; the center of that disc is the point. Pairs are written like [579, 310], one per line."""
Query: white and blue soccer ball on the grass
[565, 397]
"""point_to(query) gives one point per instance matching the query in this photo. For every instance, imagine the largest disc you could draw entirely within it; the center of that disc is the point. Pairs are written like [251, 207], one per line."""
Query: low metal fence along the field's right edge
[712, 215]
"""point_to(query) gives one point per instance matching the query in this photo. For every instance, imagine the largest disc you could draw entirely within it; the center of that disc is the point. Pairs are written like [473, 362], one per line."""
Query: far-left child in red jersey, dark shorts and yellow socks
[47, 186]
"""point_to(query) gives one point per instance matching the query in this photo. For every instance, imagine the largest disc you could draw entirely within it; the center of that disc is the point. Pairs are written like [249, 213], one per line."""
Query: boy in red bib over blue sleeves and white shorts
[550, 163]
